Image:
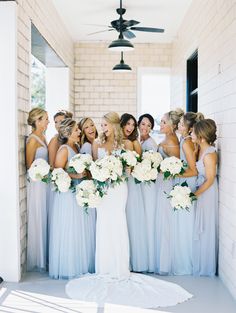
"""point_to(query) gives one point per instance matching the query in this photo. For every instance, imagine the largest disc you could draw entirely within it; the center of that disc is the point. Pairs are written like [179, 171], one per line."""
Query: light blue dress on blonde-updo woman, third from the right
[163, 224]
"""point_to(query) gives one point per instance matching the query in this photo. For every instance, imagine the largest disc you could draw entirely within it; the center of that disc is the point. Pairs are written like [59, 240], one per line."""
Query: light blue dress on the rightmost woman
[205, 243]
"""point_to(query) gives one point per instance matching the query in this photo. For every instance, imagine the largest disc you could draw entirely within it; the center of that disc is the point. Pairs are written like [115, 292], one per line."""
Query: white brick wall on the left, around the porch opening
[44, 16]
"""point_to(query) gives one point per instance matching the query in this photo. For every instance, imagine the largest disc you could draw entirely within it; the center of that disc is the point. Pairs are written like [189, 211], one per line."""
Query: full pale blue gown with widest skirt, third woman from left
[68, 246]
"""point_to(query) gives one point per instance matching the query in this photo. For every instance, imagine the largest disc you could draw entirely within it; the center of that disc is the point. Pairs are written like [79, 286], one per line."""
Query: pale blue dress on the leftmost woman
[37, 238]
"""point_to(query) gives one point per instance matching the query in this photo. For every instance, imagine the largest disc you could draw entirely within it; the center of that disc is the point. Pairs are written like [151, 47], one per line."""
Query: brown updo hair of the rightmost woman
[206, 129]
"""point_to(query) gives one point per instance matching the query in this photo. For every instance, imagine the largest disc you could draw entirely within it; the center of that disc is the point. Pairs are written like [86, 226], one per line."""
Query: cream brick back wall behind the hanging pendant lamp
[99, 90]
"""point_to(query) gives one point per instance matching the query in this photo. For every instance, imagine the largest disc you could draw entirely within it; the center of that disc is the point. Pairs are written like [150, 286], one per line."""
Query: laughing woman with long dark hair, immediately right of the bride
[135, 211]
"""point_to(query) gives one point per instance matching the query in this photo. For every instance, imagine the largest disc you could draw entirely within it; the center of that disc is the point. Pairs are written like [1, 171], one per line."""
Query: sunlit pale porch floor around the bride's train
[38, 293]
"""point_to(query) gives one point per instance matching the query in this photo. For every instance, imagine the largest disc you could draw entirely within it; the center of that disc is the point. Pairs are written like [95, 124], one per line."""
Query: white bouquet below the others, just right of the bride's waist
[144, 171]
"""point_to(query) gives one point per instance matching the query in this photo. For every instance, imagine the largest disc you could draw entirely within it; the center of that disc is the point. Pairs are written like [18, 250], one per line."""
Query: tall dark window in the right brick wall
[192, 83]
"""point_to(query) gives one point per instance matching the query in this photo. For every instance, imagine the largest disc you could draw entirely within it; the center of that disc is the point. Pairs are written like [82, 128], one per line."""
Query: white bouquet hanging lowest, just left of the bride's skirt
[88, 195]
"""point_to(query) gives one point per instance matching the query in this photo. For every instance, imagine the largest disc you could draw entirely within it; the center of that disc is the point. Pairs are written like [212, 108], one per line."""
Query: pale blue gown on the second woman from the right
[183, 220]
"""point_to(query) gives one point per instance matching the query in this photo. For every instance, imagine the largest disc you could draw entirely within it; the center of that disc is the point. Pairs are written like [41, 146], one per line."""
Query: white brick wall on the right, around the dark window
[210, 26]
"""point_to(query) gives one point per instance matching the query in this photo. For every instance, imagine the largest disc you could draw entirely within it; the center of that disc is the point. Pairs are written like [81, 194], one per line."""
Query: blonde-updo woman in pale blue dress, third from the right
[164, 213]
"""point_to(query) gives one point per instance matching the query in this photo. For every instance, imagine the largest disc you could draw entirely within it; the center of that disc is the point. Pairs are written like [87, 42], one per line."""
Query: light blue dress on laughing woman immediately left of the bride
[90, 221]
